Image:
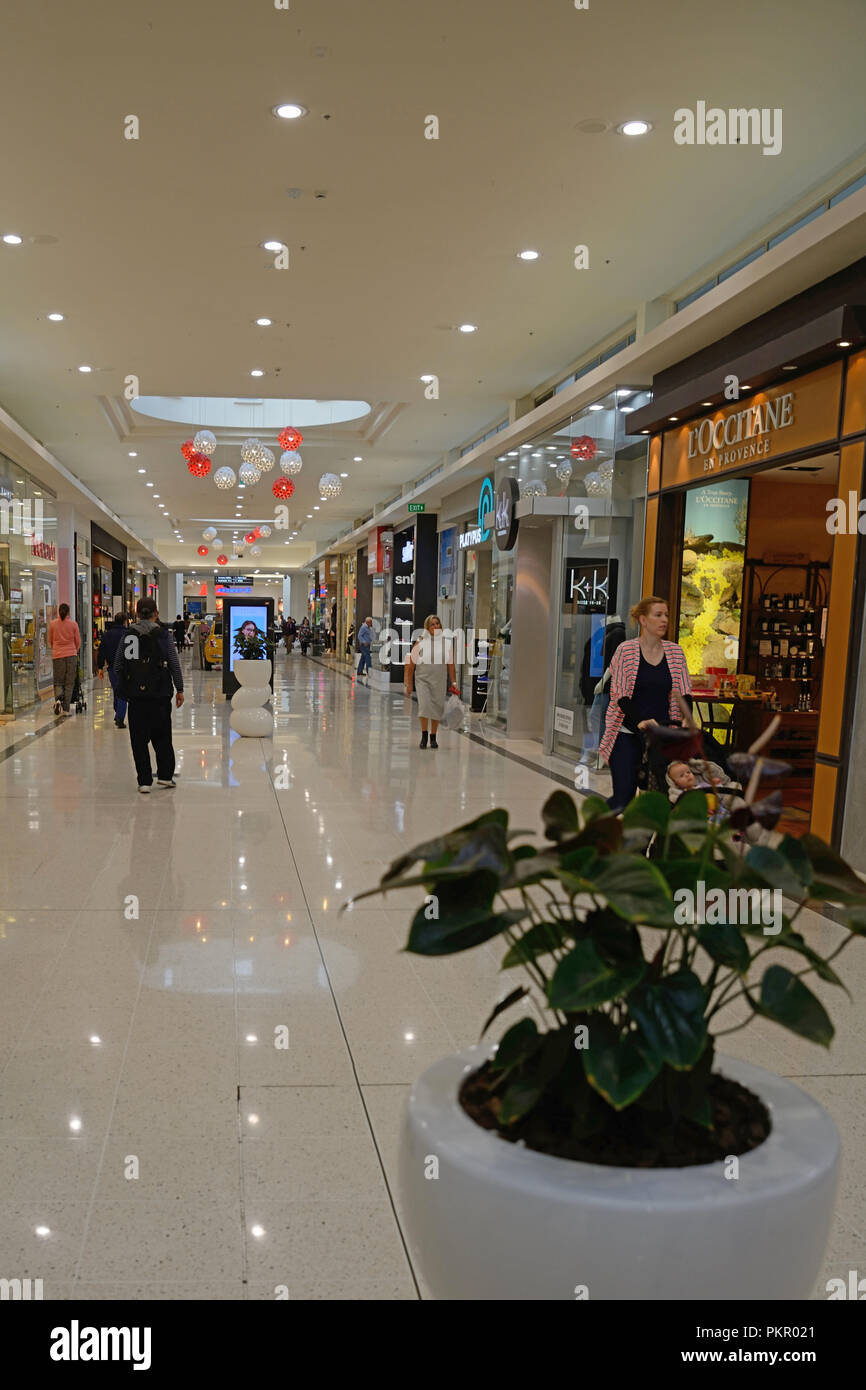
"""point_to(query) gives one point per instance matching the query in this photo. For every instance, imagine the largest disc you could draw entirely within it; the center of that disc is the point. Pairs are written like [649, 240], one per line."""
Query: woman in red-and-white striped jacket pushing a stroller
[646, 672]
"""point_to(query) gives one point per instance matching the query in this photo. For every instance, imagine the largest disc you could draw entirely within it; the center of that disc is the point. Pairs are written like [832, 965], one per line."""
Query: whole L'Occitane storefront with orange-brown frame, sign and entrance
[753, 539]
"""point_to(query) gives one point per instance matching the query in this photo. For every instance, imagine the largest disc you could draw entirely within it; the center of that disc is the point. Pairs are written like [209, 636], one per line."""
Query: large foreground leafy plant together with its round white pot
[615, 1153]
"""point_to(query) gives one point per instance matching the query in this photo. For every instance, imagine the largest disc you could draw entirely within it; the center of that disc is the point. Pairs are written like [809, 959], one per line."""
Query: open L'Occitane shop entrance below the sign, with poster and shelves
[754, 589]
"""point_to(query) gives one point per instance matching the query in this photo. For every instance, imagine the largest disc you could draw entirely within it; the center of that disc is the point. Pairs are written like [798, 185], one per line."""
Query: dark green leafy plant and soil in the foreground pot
[635, 997]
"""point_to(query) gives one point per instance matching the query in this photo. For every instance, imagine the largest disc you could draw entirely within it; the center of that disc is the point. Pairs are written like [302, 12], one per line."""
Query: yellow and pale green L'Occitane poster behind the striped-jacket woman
[711, 587]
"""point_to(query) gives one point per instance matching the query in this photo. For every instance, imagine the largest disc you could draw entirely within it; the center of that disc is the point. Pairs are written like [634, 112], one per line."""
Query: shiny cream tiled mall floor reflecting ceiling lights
[155, 1142]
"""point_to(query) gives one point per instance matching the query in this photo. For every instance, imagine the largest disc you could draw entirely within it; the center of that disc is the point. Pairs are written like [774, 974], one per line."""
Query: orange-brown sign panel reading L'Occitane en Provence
[771, 425]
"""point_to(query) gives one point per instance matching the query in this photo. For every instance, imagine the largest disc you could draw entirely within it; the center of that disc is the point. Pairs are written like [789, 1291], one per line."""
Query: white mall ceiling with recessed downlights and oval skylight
[152, 248]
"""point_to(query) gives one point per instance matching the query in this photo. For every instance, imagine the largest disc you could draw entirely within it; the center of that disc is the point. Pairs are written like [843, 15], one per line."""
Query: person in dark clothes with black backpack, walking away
[147, 668]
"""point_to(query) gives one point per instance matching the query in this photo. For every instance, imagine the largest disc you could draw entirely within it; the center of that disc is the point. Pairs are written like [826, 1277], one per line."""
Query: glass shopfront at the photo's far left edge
[28, 587]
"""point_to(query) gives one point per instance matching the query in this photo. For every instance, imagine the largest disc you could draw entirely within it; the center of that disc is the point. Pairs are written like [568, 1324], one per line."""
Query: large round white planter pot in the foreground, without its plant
[505, 1223]
